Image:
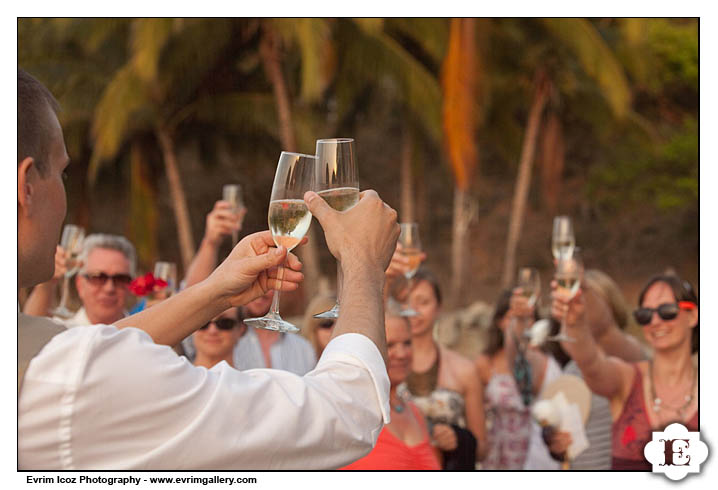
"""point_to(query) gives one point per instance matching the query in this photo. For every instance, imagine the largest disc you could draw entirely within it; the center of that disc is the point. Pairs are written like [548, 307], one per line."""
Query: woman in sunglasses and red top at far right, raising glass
[644, 396]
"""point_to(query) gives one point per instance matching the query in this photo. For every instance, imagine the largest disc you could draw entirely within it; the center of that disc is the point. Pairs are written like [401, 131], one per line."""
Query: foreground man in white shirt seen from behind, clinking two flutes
[116, 397]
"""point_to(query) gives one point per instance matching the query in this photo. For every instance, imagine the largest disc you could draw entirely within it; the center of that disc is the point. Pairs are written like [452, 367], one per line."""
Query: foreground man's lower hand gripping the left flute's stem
[252, 269]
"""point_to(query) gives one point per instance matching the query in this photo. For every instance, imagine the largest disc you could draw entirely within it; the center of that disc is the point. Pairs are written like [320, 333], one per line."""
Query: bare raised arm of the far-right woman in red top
[609, 377]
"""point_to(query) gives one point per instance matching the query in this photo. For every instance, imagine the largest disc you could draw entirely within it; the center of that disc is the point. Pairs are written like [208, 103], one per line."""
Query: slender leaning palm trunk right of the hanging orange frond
[524, 177]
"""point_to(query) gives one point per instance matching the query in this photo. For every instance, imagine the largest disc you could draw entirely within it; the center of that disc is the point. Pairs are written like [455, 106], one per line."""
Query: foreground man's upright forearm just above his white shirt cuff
[362, 306]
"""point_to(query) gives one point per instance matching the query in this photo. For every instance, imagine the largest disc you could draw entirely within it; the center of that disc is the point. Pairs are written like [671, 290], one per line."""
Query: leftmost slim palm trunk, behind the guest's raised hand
[179, 200]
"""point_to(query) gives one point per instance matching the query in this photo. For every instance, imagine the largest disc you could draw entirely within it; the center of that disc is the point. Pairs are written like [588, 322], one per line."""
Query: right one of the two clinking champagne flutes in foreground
[338, 184]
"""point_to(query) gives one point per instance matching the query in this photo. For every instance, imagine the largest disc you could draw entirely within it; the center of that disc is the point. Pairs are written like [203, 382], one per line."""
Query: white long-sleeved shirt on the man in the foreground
[96, 397]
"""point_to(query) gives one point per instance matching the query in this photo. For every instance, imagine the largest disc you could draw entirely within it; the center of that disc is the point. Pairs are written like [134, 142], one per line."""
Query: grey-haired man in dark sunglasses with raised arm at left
[108, 266]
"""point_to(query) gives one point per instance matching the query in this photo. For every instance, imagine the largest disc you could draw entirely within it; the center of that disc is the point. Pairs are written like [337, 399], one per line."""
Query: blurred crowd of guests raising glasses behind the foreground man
[447, 411]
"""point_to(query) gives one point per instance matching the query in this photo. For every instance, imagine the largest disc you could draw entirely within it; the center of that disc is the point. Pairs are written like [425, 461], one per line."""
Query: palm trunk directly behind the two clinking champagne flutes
[269, 52]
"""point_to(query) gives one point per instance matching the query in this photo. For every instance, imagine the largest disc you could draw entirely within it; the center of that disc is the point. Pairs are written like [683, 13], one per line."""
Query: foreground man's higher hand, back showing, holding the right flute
[363, 237]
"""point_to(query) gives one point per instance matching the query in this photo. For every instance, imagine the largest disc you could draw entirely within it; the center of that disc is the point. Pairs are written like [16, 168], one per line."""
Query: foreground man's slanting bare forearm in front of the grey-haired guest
[175, 318]
